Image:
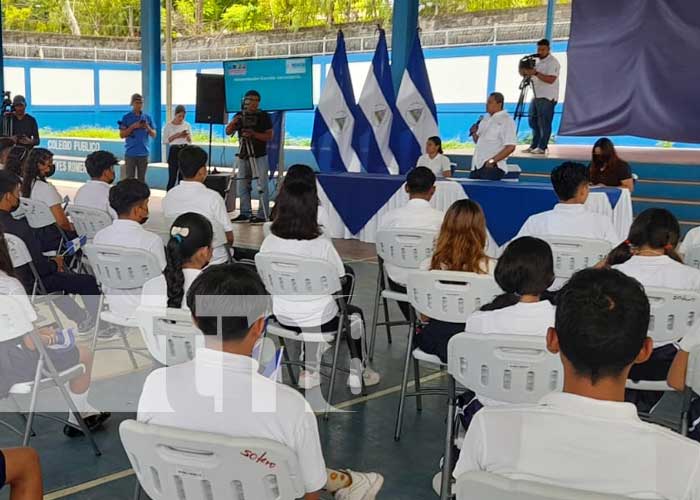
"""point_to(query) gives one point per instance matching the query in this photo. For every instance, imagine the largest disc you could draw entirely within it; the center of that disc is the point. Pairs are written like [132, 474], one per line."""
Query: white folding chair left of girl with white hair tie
[119, 269]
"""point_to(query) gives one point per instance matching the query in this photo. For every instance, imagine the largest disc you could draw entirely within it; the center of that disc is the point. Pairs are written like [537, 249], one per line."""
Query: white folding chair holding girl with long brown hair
[449, 296]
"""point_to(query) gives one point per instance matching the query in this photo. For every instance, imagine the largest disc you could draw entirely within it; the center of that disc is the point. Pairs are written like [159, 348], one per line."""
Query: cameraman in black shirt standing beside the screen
[254, 125]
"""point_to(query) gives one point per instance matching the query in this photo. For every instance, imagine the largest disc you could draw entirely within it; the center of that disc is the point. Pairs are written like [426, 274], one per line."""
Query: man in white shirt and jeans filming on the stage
[545, 85]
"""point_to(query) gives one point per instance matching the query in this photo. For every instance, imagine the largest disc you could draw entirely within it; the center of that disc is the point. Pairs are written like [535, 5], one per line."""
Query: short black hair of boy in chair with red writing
[235, 299]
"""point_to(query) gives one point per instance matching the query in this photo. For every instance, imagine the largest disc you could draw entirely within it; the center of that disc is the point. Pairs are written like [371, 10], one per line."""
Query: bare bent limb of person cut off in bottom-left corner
[21, 471]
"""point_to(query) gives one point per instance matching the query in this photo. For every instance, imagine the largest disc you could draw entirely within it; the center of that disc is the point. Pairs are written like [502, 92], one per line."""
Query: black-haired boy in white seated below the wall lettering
[95, 192]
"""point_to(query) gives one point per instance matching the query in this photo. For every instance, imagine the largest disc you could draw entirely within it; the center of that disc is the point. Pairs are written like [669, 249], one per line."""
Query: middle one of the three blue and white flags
[377, 107]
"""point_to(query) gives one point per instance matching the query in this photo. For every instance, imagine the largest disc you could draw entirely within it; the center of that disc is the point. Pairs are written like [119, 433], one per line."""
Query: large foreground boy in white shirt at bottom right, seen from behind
[587, 437]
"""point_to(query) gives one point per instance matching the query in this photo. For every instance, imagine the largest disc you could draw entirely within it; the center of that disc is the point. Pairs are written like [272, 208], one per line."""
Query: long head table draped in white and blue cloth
[356, 203]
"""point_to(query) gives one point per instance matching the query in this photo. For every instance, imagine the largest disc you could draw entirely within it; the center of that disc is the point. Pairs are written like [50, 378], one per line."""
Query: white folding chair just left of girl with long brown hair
[404, 248]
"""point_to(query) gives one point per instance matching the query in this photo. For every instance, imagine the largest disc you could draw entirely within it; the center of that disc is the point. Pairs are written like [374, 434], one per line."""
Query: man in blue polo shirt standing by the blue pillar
[136, 127]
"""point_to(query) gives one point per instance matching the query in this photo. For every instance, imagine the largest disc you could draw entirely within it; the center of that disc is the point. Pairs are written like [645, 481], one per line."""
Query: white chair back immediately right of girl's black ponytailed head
[573, 254]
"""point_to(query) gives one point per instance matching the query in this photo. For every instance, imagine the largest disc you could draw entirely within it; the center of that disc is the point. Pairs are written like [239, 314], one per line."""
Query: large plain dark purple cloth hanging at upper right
[634, 69]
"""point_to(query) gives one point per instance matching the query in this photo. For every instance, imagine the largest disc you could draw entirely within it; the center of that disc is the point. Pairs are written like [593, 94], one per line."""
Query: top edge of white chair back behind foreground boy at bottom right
[488, 486]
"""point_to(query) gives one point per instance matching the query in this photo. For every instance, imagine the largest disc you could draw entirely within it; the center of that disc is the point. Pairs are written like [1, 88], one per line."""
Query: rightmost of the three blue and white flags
[416, 117]
